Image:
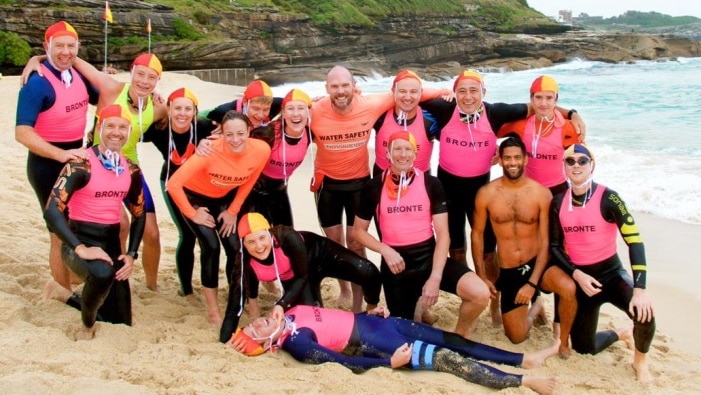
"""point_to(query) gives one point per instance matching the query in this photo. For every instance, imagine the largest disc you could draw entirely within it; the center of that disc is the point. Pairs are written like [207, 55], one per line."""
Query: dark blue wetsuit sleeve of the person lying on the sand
[303, 346]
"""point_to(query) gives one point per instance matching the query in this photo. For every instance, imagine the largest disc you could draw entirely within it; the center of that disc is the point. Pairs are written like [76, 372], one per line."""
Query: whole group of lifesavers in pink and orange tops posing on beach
[224, 179]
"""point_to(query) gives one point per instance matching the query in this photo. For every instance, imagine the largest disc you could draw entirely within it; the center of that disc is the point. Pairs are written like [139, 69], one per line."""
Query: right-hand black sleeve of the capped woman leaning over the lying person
[294, 248]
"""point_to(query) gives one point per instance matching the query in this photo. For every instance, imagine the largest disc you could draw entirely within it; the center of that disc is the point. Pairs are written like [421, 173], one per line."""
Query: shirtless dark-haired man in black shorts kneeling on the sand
[518, 208]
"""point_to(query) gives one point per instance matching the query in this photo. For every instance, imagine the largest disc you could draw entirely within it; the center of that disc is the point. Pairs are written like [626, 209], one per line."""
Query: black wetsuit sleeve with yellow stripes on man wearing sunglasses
[614, 210]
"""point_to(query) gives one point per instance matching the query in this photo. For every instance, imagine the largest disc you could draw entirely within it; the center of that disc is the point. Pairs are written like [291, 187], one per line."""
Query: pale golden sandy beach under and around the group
[172, 349]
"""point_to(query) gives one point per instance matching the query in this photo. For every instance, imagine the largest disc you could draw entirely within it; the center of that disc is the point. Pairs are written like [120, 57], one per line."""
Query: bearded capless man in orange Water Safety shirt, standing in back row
[341, 127]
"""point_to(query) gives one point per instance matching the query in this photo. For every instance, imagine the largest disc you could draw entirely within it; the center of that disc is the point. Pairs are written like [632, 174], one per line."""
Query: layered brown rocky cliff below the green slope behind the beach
[290, 48]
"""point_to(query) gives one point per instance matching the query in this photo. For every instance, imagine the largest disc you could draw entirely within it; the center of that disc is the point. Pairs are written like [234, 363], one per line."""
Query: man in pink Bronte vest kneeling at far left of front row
[93, 190]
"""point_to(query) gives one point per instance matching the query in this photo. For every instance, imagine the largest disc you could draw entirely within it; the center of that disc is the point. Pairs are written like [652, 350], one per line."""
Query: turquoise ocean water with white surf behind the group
[642, 125]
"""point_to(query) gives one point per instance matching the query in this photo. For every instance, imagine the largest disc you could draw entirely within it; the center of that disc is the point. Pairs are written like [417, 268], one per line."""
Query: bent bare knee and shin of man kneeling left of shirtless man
[475, 297]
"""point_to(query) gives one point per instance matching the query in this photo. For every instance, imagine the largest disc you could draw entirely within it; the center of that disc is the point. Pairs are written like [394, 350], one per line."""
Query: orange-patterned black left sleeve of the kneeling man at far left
[74, 176]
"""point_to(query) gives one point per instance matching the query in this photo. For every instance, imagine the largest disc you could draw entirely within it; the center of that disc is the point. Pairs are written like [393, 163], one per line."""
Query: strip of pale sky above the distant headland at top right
[610, 8]
